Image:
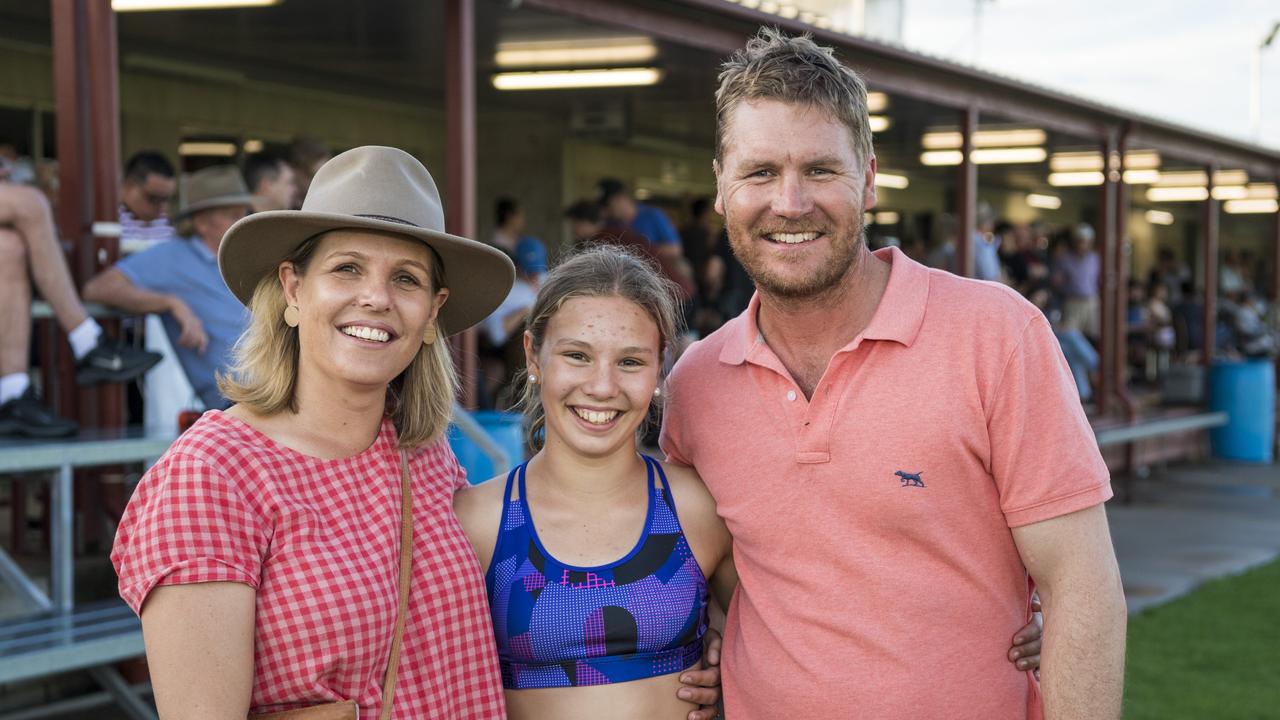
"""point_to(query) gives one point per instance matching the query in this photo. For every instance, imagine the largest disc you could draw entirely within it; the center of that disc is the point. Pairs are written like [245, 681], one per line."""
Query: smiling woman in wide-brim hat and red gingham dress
[264, 552]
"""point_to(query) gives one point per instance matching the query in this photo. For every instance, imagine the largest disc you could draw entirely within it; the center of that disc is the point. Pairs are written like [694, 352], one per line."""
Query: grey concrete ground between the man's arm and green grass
[1194, 523]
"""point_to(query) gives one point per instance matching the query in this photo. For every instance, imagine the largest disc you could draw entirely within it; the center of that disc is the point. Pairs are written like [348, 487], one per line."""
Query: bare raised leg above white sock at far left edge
[28, 212]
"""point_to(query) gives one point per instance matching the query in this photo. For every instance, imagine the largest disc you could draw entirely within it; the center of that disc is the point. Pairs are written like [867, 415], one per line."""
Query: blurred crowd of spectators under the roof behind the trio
[171, 230]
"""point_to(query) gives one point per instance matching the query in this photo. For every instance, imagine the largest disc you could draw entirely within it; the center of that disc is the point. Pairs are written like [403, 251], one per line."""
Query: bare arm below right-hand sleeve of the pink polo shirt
[1075, 567]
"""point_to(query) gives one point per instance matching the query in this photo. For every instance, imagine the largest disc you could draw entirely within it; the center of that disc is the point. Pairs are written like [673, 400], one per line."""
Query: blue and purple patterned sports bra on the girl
[560, 626]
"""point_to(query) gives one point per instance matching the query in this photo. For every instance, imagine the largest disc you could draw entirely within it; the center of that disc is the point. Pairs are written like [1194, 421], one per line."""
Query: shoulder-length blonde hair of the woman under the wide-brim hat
[264, 371]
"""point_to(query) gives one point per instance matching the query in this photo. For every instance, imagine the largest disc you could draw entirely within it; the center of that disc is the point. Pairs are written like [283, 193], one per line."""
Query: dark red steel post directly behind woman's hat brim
[460, 209]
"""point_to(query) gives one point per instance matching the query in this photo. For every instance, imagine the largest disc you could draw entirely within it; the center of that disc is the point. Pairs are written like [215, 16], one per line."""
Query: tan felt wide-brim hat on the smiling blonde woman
[376, 189]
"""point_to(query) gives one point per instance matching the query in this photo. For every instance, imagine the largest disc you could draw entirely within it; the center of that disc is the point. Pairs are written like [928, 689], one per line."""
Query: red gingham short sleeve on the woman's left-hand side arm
[188, 523]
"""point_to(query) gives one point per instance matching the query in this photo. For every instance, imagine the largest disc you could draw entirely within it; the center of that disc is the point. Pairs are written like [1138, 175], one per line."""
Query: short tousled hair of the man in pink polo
[796, 71]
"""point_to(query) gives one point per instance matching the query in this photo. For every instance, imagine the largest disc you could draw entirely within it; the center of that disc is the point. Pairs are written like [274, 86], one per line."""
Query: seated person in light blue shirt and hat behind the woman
[180, 281]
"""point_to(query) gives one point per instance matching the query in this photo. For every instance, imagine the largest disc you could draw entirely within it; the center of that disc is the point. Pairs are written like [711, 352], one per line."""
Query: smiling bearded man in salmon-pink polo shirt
[899, 453]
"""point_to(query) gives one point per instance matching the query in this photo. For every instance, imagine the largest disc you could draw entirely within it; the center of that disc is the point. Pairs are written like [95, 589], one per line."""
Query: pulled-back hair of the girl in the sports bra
[601, 271]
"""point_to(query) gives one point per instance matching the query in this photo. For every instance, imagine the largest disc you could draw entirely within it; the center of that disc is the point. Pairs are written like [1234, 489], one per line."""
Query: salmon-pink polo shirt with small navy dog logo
[872, 523]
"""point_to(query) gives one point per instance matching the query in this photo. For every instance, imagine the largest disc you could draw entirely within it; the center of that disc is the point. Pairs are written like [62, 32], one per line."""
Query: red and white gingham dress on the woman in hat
[319, 541]
